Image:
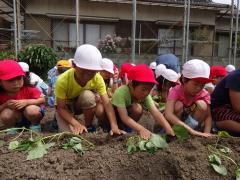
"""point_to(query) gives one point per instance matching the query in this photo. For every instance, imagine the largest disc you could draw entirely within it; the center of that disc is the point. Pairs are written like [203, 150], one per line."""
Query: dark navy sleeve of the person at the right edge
[233, 82]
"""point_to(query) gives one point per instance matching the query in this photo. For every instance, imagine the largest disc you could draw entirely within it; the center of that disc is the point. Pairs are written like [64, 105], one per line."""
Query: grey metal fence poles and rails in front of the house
[14, 14]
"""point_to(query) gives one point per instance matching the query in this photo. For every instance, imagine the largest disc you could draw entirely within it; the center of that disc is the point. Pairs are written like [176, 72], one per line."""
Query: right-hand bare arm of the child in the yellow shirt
[111, 115]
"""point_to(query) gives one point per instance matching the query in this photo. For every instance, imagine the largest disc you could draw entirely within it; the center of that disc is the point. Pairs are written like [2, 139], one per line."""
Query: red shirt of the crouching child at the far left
[24, 93]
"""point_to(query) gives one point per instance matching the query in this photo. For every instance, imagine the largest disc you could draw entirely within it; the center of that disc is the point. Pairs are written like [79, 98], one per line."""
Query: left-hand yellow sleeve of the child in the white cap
[60, 90]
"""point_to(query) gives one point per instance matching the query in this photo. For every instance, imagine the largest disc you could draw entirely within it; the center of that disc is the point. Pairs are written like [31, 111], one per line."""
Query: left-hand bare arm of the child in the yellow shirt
[63, 111]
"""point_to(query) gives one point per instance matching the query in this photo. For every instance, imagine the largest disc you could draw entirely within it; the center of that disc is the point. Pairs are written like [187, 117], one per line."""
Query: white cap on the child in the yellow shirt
[88, 57]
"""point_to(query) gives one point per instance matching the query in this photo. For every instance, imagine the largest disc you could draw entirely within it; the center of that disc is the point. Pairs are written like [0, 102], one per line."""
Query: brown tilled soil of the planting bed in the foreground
[187, 159]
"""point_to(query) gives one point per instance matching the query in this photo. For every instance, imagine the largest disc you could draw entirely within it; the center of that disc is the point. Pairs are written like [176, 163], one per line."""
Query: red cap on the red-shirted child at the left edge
[10, 69]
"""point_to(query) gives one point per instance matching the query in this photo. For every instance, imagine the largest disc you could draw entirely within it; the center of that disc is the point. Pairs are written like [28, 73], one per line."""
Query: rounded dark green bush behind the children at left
[39, 57]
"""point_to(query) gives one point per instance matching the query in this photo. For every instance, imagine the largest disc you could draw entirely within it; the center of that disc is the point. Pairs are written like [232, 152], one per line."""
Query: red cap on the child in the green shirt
[142, 73]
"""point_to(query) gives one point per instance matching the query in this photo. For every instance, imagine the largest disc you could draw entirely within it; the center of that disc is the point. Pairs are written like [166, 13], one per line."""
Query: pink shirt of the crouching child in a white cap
[177, 93]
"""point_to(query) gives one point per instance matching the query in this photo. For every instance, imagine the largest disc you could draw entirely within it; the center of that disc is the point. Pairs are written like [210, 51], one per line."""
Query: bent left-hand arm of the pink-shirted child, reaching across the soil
[173, 119]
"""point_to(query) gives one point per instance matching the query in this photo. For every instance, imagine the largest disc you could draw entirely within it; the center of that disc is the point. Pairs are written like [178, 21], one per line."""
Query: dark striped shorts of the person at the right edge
[225, 113]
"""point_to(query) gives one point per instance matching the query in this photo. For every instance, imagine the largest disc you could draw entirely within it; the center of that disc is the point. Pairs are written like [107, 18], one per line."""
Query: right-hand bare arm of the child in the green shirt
[161, 120]
